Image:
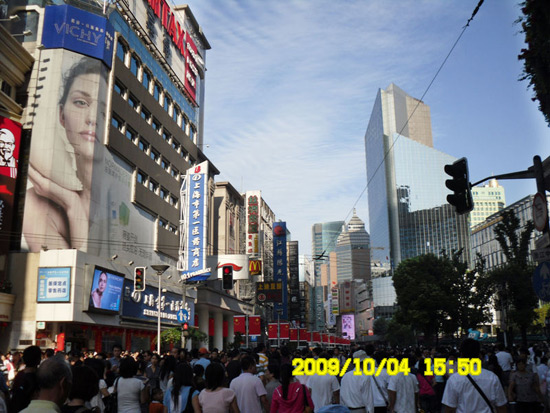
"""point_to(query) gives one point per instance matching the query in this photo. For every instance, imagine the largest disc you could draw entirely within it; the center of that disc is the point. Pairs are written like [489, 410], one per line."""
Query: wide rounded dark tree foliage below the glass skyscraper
[439, 294]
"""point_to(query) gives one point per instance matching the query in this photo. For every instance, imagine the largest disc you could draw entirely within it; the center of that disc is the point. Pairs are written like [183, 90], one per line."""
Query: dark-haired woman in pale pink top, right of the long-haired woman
[216, 398]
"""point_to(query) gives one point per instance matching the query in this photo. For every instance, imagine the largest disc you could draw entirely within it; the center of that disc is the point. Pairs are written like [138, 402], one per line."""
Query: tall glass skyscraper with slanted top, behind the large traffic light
[408, 211]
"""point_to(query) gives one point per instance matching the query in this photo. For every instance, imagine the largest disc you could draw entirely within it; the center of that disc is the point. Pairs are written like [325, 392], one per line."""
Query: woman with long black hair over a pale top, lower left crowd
[181, 393]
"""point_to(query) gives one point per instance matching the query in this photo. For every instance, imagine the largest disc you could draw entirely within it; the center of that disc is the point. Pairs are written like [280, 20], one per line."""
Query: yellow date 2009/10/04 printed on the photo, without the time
[366, 367]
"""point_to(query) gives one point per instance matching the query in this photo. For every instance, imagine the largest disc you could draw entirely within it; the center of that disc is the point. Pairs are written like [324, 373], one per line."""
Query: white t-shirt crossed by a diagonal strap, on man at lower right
[461, 394]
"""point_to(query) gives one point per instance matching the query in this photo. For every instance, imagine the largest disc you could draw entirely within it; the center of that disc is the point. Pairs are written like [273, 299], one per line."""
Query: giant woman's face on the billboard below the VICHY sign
[80, 114]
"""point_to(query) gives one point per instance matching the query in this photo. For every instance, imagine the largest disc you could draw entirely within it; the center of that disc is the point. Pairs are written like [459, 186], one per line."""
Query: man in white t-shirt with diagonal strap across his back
[461, 396]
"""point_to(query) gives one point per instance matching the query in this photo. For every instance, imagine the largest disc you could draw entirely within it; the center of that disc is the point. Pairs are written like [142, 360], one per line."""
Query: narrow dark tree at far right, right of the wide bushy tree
[513, 280]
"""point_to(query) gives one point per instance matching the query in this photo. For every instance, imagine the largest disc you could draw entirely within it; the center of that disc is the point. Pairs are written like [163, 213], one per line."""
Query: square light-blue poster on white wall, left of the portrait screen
[54, 285]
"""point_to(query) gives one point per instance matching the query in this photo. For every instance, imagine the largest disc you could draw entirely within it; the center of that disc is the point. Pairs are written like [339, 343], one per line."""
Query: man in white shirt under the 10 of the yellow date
[356, 390]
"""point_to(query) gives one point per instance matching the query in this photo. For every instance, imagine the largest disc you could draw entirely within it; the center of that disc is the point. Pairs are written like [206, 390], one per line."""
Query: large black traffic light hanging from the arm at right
[461, 198]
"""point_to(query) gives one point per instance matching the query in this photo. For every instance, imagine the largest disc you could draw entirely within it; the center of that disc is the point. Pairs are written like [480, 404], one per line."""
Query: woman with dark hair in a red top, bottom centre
[290, 396]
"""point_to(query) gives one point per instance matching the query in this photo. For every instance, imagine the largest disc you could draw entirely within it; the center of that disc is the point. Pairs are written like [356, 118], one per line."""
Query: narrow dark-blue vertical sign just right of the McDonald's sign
[280, 272]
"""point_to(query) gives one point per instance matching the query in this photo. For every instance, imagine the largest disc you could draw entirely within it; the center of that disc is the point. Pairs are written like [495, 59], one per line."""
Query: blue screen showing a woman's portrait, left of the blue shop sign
[106, 293]
